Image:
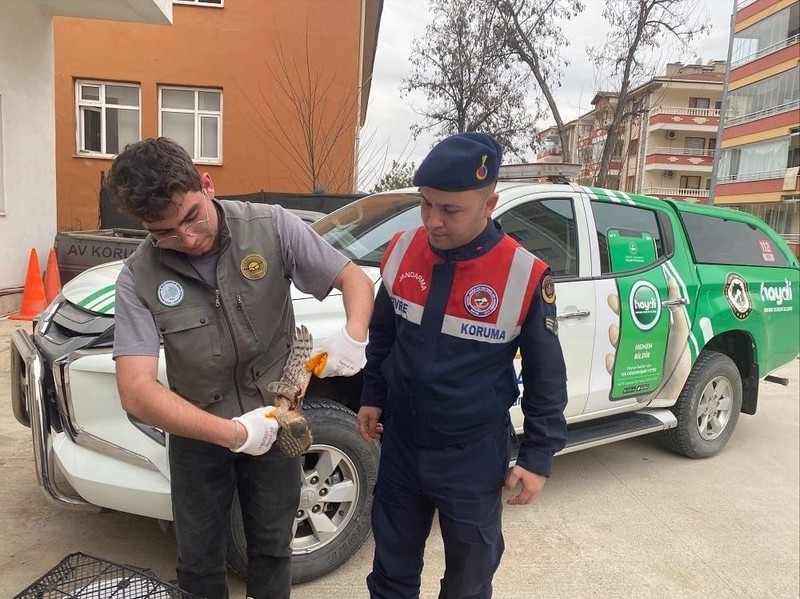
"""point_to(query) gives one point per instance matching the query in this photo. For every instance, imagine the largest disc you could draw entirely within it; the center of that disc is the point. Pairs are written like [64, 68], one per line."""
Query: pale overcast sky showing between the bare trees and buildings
[386, 135]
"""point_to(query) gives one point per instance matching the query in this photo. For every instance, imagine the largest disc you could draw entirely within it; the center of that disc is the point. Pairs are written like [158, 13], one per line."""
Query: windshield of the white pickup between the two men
[362, 230]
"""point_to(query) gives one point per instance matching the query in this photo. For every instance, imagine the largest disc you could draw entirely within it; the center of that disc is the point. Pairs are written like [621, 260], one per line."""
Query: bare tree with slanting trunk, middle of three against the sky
[530, 30]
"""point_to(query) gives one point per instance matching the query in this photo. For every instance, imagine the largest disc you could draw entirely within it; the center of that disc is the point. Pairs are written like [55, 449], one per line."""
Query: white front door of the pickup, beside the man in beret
[553, 227]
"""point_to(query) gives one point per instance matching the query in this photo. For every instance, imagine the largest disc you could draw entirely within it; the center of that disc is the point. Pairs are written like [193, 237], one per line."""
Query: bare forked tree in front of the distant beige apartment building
[628, 57]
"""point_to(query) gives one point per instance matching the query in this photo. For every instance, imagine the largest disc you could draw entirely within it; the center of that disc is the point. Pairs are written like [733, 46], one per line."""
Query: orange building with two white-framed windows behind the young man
[263, 95]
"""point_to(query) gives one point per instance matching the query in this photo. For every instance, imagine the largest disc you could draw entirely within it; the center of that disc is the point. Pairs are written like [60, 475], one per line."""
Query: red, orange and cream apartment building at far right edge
[760, 146]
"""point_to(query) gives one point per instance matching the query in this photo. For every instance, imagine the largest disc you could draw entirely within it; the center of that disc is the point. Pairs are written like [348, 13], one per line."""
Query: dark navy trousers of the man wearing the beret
[464, 483]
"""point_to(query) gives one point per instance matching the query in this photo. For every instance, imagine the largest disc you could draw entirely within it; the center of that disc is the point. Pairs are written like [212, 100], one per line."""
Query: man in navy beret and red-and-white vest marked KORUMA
[459, 298]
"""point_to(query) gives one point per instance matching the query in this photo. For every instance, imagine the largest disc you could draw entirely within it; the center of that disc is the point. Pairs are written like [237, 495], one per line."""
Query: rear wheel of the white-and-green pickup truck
[707, 408]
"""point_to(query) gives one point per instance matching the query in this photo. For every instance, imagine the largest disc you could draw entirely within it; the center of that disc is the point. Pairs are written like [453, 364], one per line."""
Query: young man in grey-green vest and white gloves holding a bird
[212, 282]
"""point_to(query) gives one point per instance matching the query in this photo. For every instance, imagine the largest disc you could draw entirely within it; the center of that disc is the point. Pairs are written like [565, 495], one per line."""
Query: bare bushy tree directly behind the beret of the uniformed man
[469, 81]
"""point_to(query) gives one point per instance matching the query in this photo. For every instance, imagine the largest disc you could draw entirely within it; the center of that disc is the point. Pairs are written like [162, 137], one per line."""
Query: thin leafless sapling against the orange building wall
[299, 105]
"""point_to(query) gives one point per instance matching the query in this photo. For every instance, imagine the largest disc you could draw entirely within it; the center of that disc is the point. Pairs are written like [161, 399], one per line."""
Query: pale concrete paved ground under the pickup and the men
[625, 520]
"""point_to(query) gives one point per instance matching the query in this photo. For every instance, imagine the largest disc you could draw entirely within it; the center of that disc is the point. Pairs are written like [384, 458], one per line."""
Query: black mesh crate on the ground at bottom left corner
[81, 576]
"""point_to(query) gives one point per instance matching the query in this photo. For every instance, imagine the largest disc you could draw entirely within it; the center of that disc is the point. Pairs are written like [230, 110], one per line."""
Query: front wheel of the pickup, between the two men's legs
[333, 518]
